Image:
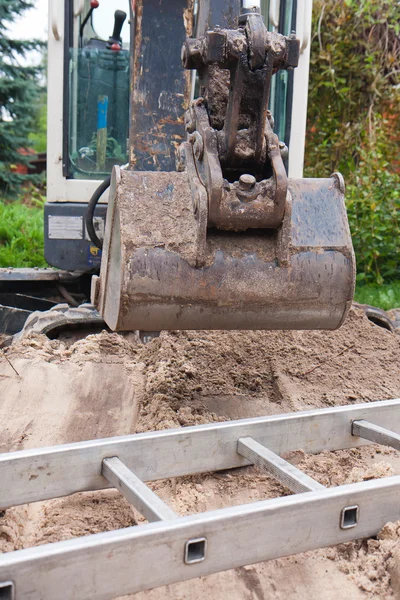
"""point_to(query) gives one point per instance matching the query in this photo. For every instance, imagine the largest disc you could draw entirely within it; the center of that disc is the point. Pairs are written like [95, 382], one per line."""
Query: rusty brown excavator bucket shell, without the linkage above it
[162, 270]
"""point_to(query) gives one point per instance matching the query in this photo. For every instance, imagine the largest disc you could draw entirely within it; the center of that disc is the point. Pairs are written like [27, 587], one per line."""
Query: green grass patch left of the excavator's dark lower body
[21, 235]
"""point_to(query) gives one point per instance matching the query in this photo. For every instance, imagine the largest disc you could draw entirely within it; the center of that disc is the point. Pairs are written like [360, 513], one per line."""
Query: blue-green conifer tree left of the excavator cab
[19, 92]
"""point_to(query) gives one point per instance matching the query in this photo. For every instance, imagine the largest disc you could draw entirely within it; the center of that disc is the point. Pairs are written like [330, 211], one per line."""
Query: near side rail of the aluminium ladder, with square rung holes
[116, 563]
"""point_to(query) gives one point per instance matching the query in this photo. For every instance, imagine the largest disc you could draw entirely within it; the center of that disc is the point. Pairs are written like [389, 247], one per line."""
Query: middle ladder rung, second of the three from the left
[283, 471]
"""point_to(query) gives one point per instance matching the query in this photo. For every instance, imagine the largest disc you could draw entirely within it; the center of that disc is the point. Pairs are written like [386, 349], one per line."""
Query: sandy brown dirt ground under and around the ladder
[108, 384]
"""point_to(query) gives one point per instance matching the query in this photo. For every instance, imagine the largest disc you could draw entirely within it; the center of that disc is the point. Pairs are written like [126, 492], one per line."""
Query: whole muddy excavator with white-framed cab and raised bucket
[209, 223]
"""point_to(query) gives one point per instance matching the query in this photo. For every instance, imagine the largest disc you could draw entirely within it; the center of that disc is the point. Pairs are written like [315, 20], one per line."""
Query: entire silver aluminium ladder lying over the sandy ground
[173, 548]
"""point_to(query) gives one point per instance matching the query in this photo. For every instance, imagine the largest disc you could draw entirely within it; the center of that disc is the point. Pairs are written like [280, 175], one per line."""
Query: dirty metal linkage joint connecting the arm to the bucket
[230, 131]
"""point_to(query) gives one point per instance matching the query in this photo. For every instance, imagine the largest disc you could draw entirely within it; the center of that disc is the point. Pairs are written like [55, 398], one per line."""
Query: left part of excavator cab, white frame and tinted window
[89, 55]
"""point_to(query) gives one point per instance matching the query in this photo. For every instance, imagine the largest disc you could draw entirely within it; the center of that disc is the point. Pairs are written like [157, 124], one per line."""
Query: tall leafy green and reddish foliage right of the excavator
[354, 122]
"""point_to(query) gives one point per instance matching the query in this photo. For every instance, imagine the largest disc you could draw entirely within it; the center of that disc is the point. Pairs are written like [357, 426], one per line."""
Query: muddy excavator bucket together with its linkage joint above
[227, 241]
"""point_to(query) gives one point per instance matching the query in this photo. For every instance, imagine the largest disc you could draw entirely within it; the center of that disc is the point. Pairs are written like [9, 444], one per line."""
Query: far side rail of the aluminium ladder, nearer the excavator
[35, 475]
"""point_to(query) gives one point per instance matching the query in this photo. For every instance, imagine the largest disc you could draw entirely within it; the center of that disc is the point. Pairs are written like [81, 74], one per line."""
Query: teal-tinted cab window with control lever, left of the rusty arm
[98, 100]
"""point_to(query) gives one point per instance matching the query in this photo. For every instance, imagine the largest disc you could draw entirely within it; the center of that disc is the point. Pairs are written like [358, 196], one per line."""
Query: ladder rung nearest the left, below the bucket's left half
[135, 491]
